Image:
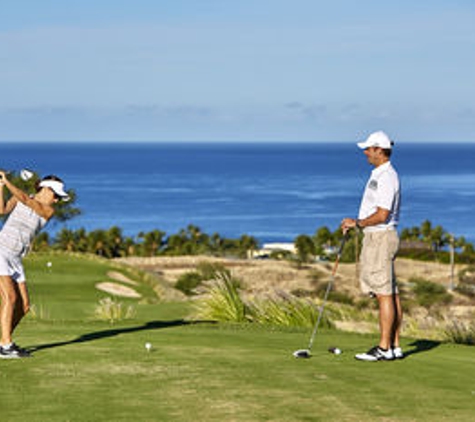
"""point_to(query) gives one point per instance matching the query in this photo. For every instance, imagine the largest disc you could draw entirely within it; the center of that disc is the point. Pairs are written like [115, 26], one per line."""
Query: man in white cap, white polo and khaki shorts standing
[378, 219]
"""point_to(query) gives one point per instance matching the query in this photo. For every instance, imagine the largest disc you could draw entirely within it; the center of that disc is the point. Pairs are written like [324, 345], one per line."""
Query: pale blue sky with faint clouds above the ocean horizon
[242, 70]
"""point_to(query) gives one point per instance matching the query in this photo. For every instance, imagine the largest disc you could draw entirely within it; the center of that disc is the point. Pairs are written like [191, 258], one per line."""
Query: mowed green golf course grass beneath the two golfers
[88, 370]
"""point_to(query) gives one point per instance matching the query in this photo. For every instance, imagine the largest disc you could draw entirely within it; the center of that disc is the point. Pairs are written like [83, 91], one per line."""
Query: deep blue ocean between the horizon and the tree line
[273, 191]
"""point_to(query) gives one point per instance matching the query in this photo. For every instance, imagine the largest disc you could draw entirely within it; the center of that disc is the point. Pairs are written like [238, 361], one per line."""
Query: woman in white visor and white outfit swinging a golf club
[27, 216]
